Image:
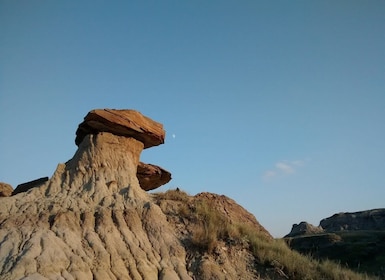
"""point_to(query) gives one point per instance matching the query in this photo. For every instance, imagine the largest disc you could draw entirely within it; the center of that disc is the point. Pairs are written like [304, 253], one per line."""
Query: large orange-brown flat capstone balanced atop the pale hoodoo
[129, 123]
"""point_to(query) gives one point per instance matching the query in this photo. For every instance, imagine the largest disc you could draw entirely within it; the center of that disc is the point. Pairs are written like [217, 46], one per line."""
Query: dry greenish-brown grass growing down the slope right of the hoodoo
[211, 226]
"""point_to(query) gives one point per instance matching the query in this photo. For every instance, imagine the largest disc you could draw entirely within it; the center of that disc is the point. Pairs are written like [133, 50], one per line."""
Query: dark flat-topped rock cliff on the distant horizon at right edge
[363, 220]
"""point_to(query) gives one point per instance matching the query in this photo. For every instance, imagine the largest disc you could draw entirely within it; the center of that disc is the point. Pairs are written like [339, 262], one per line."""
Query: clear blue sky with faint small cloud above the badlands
[279, 105]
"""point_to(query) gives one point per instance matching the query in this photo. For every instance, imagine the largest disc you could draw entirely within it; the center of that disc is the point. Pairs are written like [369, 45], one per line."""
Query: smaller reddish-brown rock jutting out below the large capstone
[151, 176]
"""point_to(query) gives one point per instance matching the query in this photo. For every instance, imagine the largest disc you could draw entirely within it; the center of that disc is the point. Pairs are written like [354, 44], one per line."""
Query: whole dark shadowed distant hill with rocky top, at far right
[356, 240]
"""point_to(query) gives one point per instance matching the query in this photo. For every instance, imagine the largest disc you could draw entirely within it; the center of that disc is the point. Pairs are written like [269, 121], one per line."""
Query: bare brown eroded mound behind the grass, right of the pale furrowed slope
[230, 258]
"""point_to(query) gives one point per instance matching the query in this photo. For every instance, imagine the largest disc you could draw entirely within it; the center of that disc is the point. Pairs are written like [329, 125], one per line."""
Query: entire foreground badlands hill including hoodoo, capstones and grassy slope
[94, 219]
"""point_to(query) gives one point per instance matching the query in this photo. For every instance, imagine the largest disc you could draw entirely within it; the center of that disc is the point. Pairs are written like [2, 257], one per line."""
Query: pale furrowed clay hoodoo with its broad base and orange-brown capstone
[91, 219]
